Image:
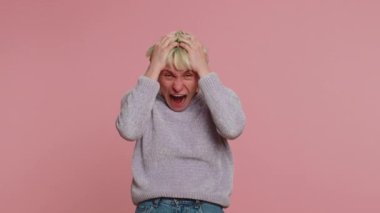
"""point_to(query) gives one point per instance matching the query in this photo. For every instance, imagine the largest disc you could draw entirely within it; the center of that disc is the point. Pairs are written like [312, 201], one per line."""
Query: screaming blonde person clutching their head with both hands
[180, 116]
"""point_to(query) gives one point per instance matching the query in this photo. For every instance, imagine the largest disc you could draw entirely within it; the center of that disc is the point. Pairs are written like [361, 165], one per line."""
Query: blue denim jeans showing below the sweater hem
[174, 205]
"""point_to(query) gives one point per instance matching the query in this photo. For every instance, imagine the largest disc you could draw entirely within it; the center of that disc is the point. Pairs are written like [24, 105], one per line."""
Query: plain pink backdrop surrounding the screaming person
[307, 73]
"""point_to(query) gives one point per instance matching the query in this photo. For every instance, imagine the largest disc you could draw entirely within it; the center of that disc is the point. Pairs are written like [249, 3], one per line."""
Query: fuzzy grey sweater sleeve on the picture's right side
[224, 105]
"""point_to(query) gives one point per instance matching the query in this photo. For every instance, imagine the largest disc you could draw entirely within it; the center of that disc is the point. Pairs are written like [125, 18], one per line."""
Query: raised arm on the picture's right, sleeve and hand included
[223, 103]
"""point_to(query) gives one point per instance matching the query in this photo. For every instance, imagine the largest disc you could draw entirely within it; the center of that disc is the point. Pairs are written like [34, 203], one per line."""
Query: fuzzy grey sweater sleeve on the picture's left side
[136, 107]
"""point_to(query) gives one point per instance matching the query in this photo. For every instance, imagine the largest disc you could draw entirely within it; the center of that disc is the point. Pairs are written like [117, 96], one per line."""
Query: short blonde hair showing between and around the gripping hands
[177, 57]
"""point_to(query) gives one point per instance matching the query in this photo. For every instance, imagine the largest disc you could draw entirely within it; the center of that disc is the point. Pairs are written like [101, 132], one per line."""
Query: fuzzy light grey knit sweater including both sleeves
[181, 154]
